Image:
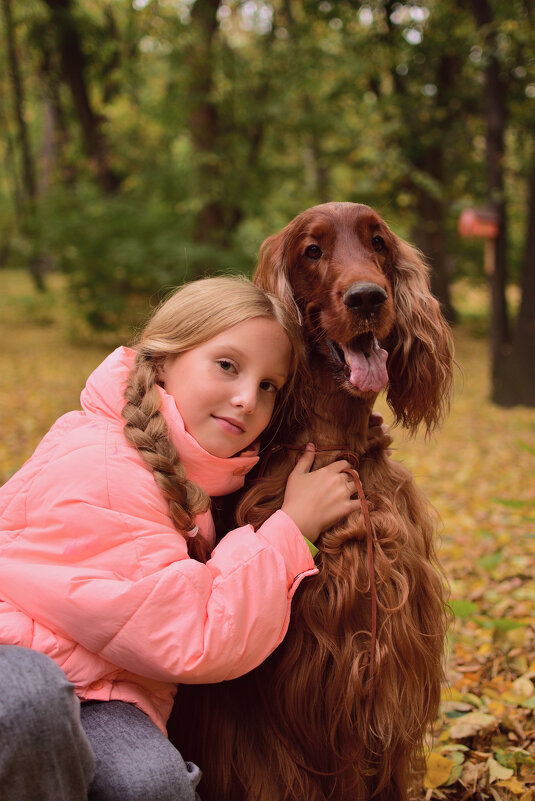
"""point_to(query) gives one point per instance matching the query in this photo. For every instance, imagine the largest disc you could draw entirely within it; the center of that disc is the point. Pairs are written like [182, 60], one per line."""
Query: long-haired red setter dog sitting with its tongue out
[307, 725]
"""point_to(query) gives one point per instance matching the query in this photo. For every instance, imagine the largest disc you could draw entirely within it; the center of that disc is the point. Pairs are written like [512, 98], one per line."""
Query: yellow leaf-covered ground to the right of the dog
[479, 471]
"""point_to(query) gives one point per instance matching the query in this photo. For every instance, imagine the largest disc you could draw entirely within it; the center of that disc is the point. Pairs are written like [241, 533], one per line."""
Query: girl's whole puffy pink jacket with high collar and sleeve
[93, 573]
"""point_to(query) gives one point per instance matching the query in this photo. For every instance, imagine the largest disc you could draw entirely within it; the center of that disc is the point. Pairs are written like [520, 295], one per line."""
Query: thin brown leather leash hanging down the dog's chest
[353, 459]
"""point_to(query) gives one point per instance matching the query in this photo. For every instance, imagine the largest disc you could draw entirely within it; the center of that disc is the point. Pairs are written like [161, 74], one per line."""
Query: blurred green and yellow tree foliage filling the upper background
[253, 115]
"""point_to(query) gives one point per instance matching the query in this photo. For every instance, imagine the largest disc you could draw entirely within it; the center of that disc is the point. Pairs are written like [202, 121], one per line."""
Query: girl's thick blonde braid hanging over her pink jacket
[147, 431]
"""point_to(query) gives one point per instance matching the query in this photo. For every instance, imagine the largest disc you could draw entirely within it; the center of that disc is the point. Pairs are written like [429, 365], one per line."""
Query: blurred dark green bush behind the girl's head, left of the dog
[123, 249]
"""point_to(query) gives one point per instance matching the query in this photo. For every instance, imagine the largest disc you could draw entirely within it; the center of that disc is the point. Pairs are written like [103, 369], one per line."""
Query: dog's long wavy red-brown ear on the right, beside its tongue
[420, 347]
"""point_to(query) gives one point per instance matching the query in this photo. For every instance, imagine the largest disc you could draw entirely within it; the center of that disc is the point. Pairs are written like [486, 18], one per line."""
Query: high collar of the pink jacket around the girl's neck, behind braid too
[104, 395]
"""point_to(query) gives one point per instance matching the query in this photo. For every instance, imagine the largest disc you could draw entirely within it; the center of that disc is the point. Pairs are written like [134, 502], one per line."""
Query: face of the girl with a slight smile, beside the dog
[225, 389]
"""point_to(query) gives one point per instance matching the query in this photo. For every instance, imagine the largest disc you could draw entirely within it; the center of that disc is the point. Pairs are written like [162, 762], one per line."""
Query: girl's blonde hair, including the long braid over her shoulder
[195, 313]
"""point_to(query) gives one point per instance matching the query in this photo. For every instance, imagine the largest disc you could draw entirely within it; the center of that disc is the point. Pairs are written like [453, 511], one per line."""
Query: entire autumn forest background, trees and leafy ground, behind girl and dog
[150, 142]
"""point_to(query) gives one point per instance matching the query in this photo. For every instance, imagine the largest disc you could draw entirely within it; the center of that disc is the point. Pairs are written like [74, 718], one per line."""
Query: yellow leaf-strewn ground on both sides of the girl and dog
[478, 470]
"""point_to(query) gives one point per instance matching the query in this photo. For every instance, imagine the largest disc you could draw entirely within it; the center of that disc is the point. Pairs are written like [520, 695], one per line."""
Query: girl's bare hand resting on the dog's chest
[315, 501]
